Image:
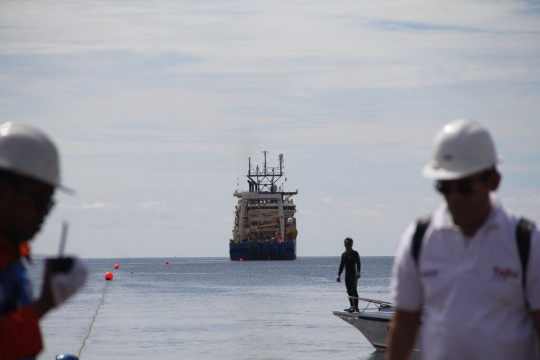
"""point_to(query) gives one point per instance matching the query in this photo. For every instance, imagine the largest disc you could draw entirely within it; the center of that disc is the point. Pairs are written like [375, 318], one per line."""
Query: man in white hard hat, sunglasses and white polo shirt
[466, 279]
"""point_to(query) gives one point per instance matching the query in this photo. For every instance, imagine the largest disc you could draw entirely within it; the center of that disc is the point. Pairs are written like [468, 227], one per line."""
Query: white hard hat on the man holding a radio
[26, 151]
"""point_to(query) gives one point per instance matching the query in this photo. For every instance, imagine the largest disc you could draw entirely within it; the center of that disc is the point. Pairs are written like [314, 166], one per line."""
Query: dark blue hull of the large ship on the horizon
[263, 250]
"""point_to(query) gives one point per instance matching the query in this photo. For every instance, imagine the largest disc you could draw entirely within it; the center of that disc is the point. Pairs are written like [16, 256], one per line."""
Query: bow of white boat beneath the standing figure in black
[373, 321]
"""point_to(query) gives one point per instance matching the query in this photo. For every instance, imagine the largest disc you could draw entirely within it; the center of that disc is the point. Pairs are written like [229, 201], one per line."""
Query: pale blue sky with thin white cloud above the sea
[156, 107]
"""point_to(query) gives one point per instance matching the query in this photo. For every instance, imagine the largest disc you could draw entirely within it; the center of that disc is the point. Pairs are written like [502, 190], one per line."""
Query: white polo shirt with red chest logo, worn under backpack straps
[469, 289]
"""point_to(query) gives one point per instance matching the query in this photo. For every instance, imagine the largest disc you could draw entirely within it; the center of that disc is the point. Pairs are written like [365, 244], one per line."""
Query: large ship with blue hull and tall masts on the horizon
[264, 223]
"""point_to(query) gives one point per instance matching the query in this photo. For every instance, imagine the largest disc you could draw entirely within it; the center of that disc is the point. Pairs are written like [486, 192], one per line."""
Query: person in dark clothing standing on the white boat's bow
[350, 261]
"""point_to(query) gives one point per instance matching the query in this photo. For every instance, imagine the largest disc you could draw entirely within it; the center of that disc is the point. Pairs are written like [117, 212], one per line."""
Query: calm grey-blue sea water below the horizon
[212, 308]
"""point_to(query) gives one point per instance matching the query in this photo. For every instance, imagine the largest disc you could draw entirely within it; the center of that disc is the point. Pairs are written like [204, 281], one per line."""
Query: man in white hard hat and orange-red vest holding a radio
[29, 176]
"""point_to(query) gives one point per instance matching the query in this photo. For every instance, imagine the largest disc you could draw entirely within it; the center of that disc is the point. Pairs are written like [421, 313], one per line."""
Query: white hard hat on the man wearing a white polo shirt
[461, 148]
